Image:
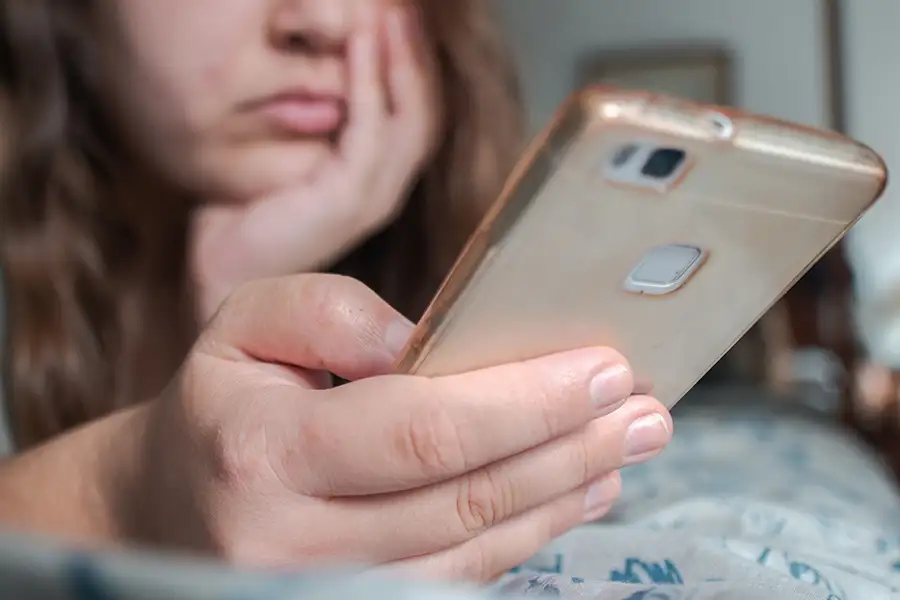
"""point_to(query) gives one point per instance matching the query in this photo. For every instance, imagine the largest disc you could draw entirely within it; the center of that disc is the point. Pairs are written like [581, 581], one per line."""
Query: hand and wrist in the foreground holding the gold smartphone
[249, 457]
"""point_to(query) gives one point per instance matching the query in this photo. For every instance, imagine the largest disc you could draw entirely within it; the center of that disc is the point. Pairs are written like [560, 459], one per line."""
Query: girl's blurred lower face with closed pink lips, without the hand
[231, 97]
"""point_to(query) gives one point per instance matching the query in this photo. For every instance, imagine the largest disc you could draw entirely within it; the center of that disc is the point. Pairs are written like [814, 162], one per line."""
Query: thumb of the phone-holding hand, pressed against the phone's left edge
[313, 321]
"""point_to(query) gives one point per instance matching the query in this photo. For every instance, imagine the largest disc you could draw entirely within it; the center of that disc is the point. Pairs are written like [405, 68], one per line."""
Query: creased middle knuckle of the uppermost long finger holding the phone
[432, 440]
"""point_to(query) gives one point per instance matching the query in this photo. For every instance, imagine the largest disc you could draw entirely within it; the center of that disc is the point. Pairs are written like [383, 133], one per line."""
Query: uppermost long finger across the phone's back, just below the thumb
[395, 433]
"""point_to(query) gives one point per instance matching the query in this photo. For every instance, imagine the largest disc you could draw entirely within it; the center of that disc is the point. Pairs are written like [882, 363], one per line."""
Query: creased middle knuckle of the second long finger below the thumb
[482, 502]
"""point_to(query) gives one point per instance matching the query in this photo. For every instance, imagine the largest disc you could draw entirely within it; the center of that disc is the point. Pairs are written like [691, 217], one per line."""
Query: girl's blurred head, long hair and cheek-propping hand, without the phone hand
[158, 155]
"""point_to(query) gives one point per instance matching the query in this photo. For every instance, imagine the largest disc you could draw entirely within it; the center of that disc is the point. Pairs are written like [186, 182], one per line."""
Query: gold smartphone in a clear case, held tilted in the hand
[659, 227]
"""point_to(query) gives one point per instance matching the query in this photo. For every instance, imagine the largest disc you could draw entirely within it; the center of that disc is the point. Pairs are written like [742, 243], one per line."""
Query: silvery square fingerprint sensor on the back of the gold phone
[664, 269]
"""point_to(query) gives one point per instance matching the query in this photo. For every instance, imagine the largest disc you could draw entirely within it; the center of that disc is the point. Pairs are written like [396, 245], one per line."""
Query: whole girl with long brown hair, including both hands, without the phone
[161, 154]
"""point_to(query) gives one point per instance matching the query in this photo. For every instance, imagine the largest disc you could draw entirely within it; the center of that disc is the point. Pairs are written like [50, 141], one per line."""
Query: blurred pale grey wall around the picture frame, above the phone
[780, 66]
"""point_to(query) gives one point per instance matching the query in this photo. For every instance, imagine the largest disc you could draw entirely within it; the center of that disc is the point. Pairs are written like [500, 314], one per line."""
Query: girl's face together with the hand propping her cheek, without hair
[190, 90]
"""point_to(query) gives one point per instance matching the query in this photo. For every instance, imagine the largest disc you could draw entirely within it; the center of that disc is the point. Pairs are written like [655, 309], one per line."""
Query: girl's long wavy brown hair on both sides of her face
[79, 321]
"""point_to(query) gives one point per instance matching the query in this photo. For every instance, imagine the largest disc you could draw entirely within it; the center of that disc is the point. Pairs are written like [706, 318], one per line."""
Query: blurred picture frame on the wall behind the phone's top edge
[702, 73]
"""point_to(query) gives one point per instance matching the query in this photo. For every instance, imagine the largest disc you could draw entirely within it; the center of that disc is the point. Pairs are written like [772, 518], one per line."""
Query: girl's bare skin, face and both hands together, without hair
[250, 455]
